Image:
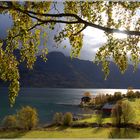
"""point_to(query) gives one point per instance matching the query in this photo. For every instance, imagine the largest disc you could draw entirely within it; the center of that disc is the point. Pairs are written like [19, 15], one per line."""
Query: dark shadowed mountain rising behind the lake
[63, 72]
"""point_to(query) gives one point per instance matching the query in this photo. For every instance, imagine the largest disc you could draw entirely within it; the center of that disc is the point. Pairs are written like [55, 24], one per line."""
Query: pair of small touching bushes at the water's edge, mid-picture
[63, 119]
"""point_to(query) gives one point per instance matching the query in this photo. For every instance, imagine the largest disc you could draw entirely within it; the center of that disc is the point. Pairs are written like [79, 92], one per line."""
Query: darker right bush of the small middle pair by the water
[68, 119]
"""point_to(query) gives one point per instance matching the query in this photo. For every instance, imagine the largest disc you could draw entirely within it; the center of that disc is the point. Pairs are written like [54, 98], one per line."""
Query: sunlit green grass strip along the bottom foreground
[73, 133]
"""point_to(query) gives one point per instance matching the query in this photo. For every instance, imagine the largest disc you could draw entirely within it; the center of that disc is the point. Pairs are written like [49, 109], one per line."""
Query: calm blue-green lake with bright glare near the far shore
[47, 101]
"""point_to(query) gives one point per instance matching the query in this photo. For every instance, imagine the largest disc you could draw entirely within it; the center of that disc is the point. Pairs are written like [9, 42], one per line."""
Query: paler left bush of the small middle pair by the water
[58, 118]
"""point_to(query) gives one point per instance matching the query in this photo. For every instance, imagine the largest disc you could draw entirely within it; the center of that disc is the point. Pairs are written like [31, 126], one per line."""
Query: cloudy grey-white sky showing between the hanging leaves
[93, 39]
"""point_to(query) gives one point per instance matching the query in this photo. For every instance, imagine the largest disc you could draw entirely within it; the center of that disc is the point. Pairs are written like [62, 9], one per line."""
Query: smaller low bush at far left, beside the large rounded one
[10, 122]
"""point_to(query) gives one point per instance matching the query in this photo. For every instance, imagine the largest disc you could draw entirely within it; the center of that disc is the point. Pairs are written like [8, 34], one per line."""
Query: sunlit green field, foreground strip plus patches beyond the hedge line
[89, 132]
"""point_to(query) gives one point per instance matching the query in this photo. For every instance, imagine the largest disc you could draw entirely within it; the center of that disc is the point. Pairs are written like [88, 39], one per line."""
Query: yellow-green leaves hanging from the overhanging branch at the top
[30, 19]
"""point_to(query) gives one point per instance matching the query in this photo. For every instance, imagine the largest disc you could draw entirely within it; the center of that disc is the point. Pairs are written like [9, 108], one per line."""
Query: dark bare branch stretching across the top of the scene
[34, 15]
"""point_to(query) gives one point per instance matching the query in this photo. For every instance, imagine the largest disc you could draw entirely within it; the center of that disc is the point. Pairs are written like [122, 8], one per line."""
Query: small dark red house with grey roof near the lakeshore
[107, 108]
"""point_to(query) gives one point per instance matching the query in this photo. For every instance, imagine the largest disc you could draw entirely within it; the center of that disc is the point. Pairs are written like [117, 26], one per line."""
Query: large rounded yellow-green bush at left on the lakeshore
[27, 118]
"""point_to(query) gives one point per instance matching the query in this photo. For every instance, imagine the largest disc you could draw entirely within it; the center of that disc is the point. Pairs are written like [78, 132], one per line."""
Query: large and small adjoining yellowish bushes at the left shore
[26, 118]
